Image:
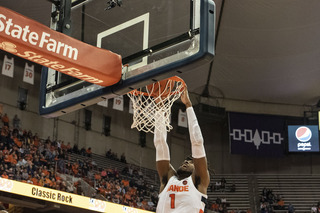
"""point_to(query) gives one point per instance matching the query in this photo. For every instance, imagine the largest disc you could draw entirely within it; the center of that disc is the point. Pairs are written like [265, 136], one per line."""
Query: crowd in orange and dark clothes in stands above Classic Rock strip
[27, 158]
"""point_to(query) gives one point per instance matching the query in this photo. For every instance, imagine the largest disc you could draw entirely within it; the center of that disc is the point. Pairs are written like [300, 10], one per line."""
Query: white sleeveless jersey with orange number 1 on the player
[180, 196]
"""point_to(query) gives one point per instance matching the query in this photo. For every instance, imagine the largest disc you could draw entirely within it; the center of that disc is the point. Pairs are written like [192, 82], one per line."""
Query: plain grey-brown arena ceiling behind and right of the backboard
[266, 51]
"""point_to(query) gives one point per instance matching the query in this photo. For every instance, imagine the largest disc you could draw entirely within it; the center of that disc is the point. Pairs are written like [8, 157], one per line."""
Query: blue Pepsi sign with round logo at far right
[303, 138]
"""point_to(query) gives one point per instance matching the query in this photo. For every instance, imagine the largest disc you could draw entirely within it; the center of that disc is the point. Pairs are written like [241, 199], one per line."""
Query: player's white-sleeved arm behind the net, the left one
[164, 168]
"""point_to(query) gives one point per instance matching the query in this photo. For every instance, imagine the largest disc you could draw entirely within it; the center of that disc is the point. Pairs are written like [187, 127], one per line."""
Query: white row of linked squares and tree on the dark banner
[257, 137]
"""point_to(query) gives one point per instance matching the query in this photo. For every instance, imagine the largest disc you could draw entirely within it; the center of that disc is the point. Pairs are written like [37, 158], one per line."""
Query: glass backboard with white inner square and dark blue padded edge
[156, 39]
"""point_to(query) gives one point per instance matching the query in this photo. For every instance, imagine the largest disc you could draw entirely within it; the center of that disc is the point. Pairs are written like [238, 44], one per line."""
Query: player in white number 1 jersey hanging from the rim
[184, 190]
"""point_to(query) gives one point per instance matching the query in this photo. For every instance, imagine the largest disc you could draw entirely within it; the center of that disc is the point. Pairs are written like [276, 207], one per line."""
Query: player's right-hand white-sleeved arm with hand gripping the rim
[198, 151]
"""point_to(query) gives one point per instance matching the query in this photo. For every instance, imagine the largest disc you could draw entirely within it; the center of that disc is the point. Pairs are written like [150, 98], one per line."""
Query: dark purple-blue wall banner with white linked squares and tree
[257, 135]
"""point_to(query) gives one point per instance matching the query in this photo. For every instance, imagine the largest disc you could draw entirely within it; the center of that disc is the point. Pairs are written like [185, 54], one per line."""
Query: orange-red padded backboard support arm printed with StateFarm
[38, 43]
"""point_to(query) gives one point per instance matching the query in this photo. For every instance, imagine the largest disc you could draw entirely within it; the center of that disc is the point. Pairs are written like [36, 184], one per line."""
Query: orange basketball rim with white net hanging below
[153, 102]
